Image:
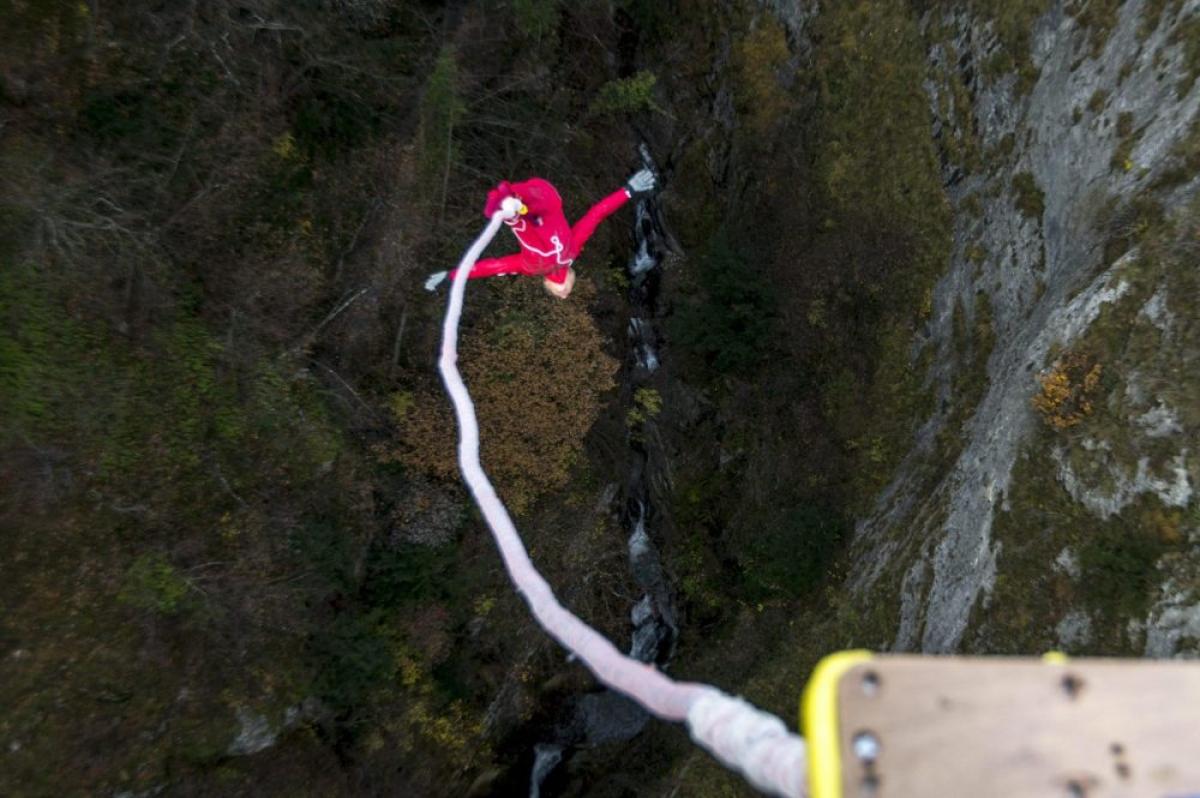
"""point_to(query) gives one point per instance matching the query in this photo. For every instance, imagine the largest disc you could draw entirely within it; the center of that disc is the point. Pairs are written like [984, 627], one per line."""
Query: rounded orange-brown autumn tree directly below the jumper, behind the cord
[537, 371]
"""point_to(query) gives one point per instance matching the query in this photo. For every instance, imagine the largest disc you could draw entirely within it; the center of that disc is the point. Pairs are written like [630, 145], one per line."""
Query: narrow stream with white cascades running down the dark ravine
[608, 717]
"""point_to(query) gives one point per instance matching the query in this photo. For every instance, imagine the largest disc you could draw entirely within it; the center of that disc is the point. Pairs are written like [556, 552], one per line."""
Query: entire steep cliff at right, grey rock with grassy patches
[1075, 251]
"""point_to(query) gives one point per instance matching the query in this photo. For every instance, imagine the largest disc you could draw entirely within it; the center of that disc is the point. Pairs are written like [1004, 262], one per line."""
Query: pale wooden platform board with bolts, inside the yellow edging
[989, 728]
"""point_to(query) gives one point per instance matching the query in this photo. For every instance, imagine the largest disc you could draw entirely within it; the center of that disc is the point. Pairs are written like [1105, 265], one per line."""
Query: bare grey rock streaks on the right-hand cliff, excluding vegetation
[1046, 281]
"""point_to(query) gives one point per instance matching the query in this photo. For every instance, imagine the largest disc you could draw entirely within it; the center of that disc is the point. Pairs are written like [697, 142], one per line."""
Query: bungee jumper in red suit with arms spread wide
[549, 245]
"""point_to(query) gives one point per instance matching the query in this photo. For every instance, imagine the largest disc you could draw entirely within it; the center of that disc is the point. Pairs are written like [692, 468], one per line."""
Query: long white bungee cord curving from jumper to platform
[742, 737]
